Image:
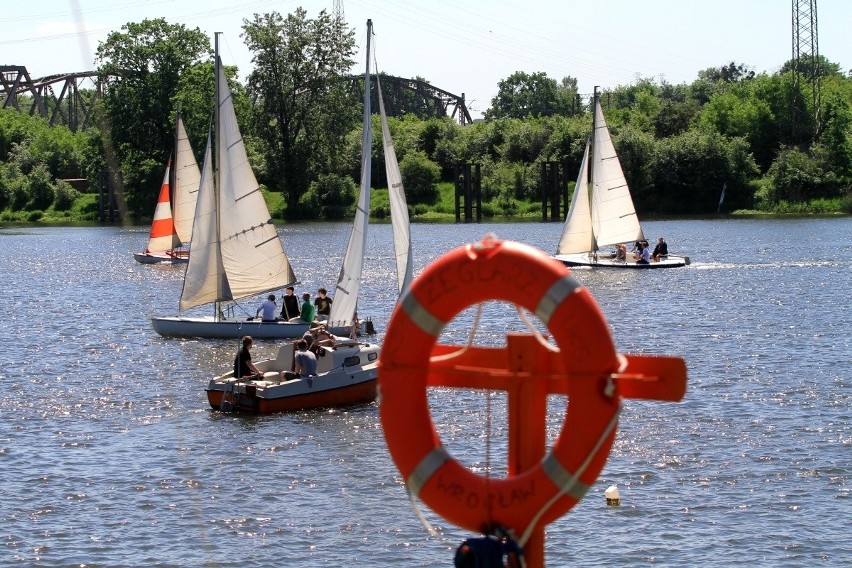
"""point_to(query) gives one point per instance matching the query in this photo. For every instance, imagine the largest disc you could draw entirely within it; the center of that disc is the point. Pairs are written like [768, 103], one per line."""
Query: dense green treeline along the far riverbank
[679, 144]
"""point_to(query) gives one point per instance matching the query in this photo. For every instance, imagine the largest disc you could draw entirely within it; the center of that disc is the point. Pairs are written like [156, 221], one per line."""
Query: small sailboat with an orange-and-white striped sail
[172, 226]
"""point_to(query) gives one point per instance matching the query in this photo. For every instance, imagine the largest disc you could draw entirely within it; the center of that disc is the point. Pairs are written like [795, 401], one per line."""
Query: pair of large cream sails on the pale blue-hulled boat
[241, 253]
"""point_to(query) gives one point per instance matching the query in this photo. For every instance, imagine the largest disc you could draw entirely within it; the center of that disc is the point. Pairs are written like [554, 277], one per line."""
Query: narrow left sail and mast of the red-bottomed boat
[349, 282]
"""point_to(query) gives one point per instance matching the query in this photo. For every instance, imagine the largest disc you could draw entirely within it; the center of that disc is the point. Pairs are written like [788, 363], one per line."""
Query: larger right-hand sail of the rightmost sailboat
[614, 218]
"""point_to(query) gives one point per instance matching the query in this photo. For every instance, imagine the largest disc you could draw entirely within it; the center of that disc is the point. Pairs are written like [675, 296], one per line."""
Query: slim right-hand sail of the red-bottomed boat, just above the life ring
[398, 204]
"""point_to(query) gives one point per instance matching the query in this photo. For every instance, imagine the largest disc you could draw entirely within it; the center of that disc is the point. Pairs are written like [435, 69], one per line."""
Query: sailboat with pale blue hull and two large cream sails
[236, 251]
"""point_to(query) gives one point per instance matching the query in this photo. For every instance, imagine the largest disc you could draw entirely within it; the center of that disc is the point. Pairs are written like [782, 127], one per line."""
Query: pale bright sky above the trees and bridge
[463, 46]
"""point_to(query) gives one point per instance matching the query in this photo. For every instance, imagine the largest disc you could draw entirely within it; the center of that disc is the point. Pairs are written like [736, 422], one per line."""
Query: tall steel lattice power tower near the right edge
[805, 63]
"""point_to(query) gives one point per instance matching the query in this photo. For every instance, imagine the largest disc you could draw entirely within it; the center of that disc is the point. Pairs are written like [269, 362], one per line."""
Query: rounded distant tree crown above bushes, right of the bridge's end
[522, 94]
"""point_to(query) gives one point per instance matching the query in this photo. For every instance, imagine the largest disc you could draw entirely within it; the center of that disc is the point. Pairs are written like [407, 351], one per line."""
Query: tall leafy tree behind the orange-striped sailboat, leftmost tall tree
[144, 63]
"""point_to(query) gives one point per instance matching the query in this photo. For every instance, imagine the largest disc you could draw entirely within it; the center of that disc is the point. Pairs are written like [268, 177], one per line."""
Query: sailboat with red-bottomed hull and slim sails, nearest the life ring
[348, 372]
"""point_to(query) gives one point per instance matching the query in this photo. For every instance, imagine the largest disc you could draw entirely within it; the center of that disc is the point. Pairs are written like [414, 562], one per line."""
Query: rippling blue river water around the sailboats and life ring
[110, 456]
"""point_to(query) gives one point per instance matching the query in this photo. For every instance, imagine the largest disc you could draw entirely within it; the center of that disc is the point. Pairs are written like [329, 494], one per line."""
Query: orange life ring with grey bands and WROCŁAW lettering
[522, 275]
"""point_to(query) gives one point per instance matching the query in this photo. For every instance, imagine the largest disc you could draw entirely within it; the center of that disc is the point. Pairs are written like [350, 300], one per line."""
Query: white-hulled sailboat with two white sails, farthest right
[601, 213]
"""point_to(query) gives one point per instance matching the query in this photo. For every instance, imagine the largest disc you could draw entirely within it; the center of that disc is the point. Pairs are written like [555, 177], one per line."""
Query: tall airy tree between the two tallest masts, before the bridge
[303, 109]
